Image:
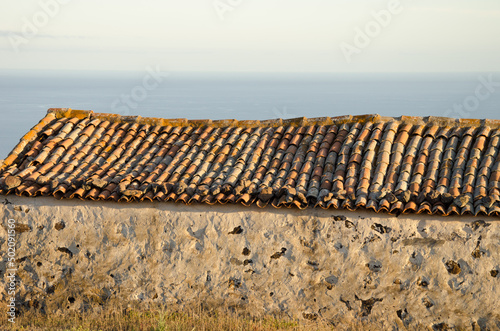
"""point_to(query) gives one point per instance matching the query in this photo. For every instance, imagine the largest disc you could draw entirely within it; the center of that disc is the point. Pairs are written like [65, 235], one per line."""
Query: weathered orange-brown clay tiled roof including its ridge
[431, 165]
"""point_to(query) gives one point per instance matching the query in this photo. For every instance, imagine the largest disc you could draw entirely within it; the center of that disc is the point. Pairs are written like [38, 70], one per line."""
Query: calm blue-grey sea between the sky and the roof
[25, 95]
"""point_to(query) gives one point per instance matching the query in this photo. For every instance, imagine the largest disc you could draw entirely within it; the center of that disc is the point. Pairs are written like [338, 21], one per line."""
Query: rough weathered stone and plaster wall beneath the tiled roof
[404, 272]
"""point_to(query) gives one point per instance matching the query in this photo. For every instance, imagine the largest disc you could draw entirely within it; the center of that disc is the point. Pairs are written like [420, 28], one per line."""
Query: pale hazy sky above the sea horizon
[251, 35]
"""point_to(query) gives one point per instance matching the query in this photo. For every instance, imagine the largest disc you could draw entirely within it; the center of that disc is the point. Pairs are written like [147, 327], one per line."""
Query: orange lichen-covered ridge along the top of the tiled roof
[298, 121]
